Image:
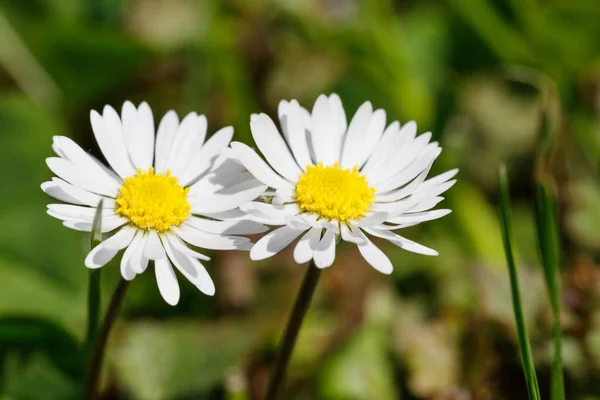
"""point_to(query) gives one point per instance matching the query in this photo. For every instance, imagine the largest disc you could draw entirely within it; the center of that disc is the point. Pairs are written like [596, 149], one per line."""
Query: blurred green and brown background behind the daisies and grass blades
[477, 73]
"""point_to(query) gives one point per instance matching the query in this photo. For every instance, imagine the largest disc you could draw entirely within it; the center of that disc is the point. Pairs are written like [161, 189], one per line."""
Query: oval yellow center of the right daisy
[334, 193]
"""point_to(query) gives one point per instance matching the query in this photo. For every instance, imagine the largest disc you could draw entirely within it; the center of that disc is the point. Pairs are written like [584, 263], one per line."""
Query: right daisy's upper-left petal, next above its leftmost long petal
[273, 147]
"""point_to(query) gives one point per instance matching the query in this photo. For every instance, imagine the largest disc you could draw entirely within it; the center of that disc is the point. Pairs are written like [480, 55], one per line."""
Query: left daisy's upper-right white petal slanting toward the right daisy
[202, 161]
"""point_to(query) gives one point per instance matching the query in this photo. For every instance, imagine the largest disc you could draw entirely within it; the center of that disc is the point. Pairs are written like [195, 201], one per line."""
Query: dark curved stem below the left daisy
[96, 362]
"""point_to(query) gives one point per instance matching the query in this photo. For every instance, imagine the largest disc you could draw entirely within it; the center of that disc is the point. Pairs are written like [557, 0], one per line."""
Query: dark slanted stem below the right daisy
[309, 284]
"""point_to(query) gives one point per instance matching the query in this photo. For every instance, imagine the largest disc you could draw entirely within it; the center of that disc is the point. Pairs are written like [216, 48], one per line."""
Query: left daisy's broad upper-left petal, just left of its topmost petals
[109, 135]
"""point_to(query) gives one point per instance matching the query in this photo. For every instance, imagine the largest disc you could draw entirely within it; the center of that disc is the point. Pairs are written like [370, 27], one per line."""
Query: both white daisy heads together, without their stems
[168, 192]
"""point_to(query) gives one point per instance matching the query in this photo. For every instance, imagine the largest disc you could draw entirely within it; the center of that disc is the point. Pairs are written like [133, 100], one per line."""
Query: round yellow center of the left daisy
[152, 201]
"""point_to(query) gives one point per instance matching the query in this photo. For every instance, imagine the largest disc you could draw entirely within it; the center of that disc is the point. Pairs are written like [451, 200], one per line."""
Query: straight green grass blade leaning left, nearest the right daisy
[524, 347]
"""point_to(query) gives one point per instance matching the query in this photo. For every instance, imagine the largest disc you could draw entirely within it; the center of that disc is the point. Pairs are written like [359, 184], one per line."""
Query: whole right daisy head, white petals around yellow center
[331, 179]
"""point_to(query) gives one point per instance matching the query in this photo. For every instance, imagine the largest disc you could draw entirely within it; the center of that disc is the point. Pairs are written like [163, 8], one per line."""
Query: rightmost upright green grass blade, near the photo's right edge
[547, 227]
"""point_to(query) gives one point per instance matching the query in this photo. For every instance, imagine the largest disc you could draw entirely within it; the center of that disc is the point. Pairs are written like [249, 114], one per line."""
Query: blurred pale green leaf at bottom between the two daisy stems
[165, 360]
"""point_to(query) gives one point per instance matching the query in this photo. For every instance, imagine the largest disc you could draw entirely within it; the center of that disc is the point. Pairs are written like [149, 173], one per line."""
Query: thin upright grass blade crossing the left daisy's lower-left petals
[94, 285]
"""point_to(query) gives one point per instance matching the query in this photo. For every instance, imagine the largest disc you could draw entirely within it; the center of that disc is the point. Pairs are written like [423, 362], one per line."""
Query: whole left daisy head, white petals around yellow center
[164, 193]
